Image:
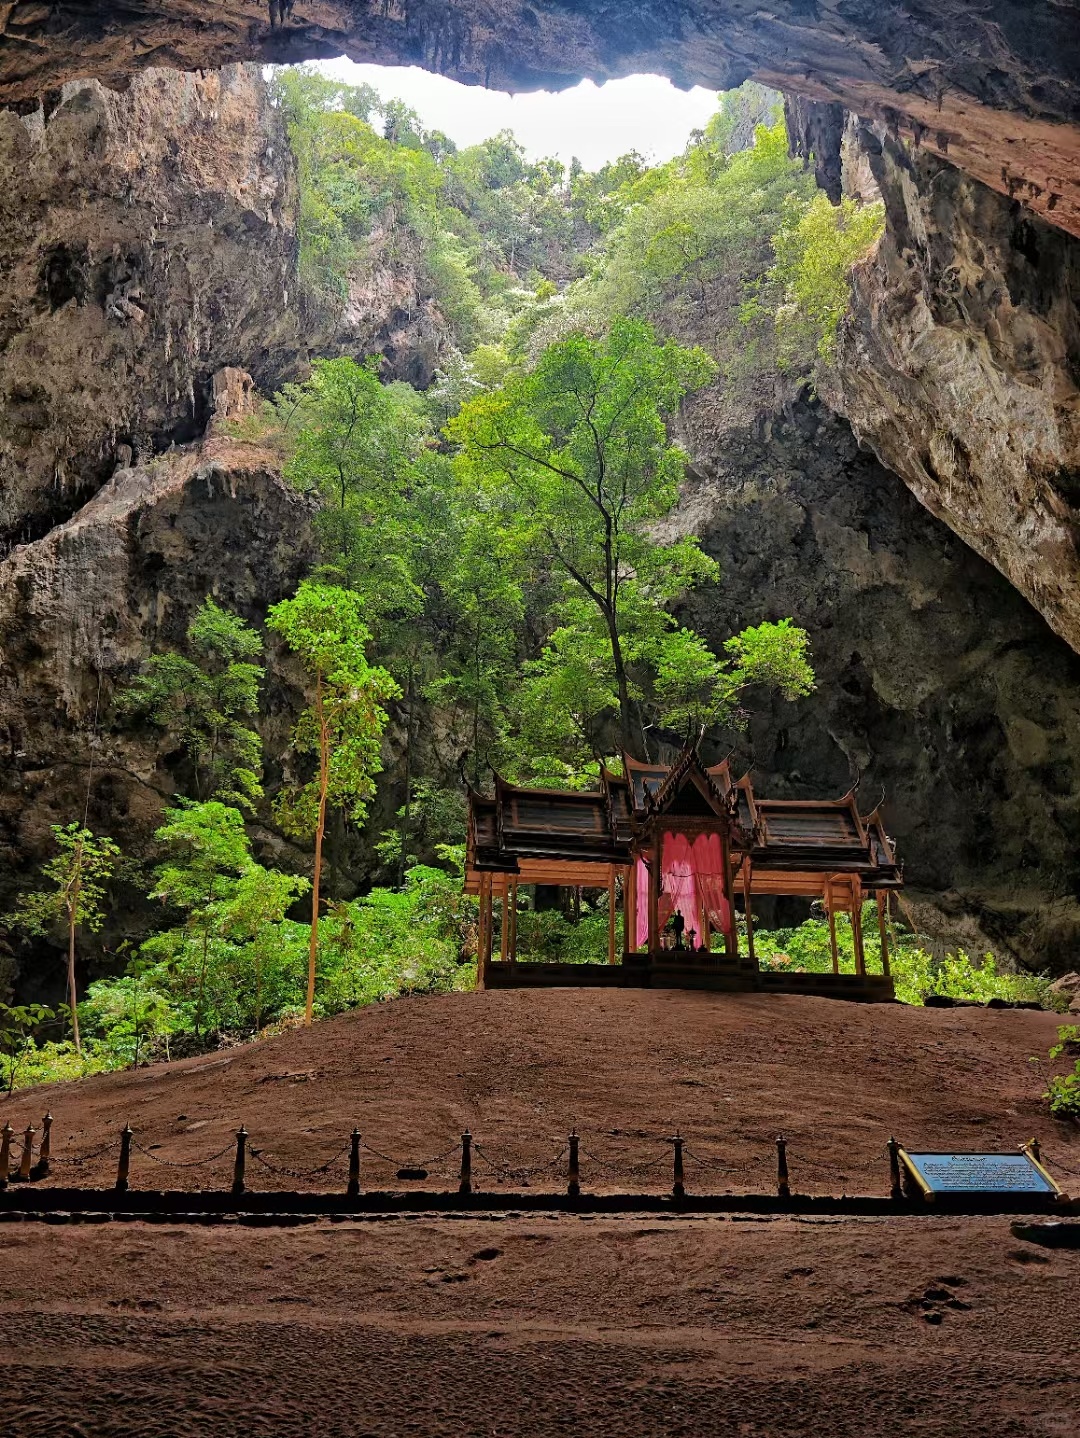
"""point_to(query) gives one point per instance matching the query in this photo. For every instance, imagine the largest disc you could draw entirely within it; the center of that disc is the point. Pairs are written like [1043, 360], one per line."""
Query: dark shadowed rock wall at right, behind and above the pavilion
[937, 684]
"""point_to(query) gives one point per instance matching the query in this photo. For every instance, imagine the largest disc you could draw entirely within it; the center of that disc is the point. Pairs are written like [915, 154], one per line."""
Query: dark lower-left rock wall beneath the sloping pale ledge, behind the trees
[83, 608]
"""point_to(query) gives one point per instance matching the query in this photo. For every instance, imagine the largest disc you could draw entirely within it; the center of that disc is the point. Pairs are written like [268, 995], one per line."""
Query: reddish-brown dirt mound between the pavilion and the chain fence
[626, 1068]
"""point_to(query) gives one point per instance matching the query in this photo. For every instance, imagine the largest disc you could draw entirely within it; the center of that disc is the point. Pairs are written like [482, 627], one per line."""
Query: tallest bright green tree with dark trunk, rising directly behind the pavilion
[579, 451]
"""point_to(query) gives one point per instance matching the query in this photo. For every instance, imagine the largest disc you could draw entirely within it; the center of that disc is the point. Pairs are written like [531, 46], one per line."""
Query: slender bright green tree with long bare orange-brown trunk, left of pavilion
[343, 728]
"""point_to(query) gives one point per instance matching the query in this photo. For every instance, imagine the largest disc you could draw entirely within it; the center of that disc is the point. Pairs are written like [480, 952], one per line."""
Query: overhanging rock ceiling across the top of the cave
[992, 84]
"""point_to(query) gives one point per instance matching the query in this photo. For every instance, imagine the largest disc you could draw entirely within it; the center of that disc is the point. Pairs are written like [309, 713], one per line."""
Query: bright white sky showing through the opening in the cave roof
[596, 123]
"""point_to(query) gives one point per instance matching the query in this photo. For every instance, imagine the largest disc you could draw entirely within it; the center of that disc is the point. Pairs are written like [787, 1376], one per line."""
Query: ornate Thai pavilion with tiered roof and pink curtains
[682, 843]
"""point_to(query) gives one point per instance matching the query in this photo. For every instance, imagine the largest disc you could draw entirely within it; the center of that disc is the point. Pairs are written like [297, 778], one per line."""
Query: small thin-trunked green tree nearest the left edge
[77, 876]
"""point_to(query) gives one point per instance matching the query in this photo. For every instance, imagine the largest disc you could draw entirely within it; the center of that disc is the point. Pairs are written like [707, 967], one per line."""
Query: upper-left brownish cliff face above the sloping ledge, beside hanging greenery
[149, 239]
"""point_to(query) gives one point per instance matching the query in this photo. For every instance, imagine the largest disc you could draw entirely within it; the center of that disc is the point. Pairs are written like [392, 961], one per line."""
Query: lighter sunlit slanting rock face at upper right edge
[960, 365]
